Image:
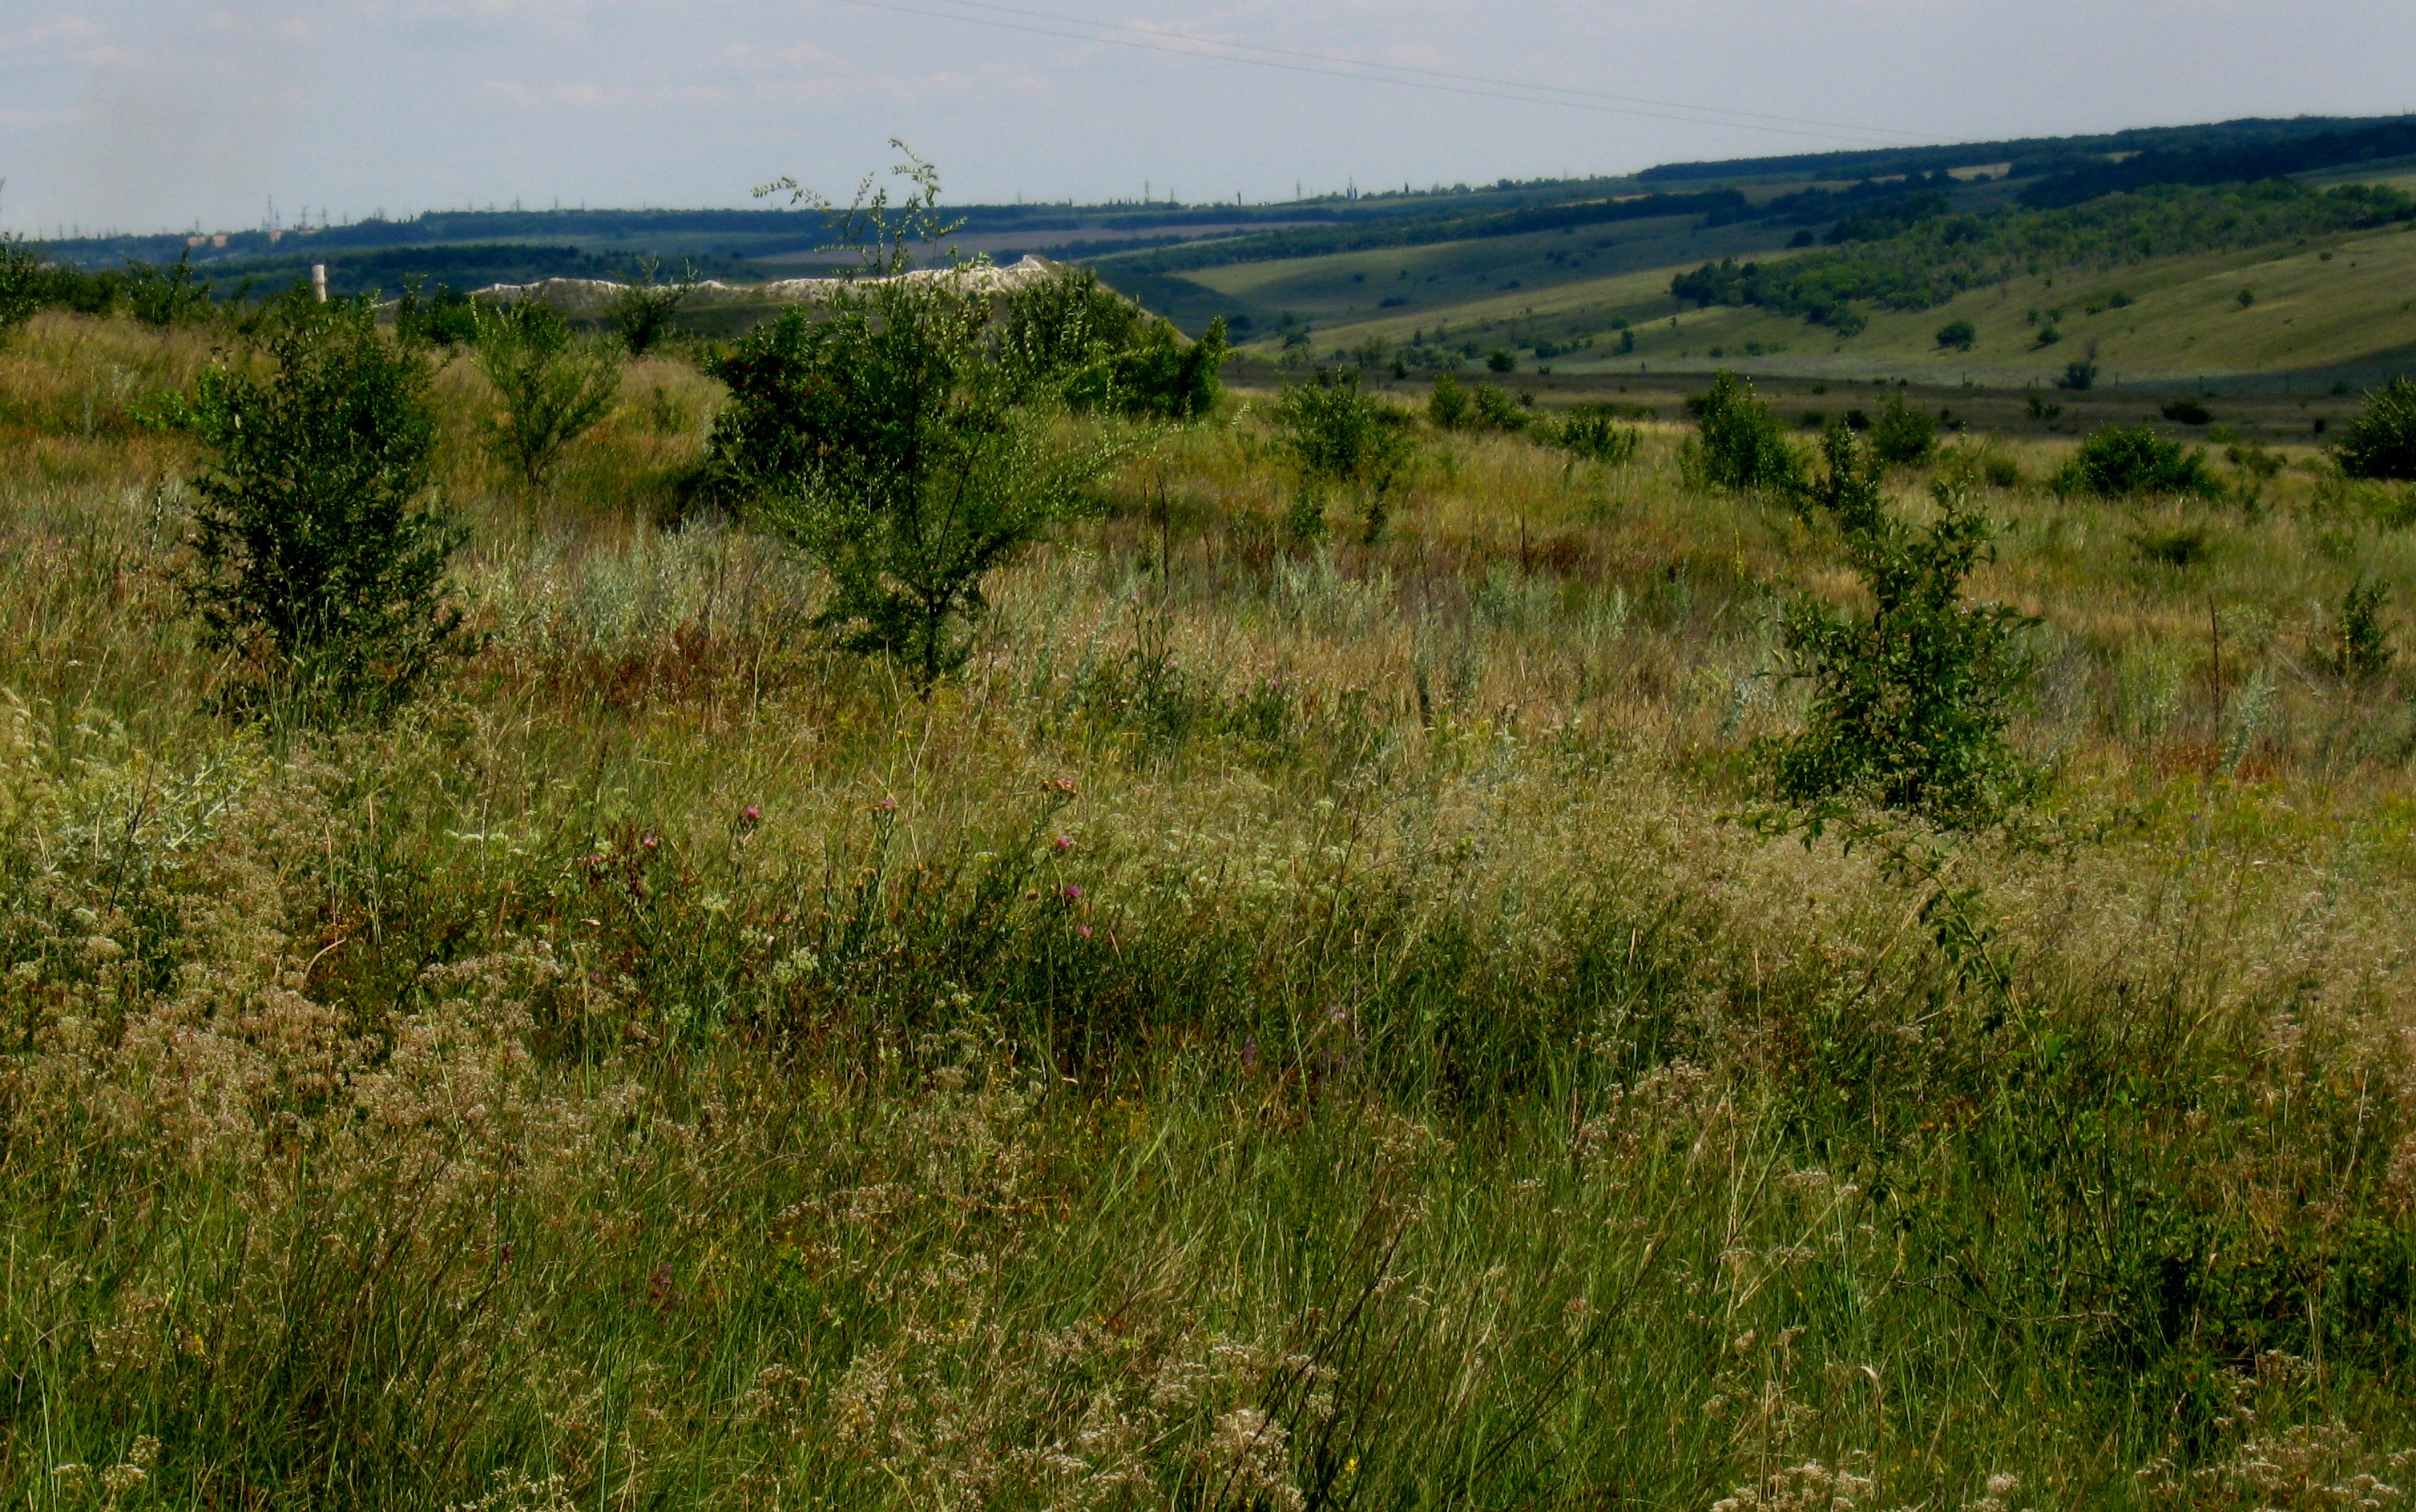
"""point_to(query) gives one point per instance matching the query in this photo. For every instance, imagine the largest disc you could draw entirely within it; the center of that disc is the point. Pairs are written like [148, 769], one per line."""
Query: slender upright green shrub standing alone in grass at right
[1912, 694]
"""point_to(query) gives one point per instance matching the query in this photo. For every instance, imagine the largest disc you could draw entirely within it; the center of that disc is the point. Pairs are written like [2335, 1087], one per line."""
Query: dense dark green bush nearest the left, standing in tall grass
[313, 542]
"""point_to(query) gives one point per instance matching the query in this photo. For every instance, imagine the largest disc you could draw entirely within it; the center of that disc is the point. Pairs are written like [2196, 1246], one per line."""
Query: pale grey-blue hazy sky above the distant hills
[180, 115]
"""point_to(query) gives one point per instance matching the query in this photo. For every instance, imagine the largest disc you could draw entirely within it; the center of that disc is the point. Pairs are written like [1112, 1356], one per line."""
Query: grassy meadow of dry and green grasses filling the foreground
[1291, 1025]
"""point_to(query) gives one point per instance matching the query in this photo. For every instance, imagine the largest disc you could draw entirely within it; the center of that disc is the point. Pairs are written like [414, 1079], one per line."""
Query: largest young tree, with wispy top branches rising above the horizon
[900, 443]
